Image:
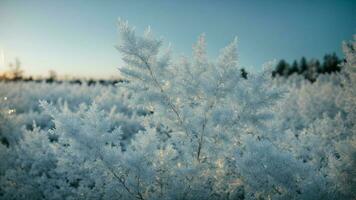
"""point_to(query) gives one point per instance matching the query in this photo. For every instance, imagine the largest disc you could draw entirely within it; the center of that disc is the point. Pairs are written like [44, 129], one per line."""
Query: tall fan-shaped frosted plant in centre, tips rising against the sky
[198, 98]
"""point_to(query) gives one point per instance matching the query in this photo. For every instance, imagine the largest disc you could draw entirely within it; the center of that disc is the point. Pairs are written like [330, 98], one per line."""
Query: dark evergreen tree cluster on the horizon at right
[309, 69]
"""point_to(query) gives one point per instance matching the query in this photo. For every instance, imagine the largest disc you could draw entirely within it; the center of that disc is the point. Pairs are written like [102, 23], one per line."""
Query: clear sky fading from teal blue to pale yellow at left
[78, 37]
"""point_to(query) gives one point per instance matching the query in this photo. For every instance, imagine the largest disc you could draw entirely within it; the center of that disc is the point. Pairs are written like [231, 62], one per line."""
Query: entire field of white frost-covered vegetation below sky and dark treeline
[187, 129]
